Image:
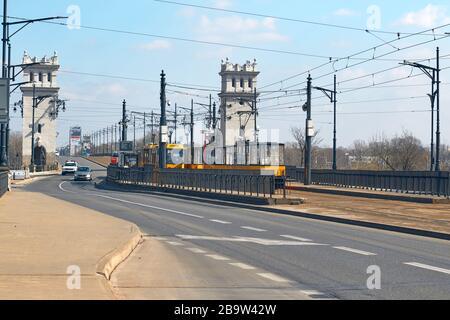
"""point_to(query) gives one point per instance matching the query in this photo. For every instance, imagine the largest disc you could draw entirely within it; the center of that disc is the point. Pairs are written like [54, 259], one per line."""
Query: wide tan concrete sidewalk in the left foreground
[41, 237]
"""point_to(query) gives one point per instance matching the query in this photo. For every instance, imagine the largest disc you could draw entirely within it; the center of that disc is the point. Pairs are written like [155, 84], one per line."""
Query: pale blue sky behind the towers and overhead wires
[138, 56]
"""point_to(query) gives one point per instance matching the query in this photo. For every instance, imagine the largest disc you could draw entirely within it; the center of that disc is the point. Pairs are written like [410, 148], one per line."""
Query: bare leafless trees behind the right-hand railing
[402, 152]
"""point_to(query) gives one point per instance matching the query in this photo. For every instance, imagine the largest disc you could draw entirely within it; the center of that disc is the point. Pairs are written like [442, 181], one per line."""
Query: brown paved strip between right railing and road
[432, 217]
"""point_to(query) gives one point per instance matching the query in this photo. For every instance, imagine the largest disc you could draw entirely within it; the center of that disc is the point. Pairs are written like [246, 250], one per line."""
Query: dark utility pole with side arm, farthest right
[433, 74]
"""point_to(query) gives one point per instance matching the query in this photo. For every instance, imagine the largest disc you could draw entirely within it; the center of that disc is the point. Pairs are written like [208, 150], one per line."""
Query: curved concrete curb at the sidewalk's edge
[113, 259]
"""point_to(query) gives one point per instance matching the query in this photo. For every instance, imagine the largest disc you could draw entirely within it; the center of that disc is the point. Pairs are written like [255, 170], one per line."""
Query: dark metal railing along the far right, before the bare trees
[412, 182]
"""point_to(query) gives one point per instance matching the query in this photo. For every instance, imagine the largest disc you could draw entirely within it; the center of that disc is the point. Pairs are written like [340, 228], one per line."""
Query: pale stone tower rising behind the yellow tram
[238, 92]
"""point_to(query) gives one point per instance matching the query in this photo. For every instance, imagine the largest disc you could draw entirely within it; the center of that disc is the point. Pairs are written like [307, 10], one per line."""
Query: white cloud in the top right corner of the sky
[428, 17]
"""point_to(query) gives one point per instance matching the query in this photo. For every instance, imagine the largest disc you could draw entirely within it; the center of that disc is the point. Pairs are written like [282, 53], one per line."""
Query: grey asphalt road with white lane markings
[320, 259]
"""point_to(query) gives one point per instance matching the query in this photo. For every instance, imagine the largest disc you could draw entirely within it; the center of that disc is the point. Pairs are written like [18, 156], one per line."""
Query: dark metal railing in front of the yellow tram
[235, 183]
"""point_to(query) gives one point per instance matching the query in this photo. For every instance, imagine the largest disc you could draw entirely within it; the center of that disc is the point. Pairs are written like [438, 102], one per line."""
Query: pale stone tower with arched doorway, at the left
[41, 75]
